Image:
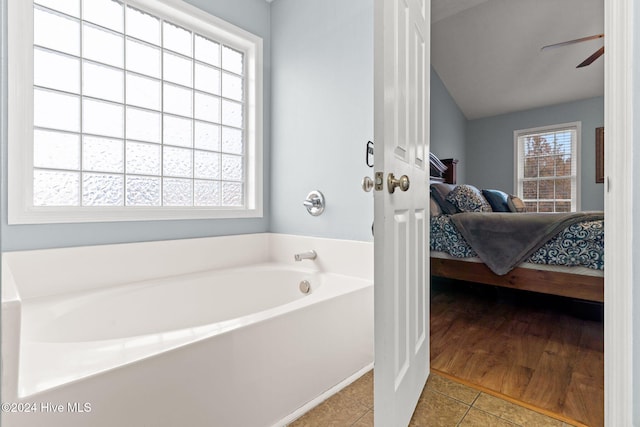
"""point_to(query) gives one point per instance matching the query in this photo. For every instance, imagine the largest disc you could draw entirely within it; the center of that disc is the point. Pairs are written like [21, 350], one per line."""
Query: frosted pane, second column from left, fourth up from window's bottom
[102, 82]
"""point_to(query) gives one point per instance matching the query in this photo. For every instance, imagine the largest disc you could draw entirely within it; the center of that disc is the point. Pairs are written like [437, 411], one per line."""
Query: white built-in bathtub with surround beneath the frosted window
[213, 346]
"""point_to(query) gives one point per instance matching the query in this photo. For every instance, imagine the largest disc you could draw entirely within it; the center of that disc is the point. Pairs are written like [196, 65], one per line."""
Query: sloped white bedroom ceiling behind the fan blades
[487, 52]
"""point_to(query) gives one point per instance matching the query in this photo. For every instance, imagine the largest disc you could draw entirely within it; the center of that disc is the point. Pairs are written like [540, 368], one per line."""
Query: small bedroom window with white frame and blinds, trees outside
[547, 166]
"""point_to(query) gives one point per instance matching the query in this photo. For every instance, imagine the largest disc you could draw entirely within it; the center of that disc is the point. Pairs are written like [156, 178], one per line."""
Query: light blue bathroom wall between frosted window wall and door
[322, 106]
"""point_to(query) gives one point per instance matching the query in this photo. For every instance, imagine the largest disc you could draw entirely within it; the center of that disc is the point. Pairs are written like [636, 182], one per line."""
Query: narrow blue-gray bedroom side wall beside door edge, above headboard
[448, 126]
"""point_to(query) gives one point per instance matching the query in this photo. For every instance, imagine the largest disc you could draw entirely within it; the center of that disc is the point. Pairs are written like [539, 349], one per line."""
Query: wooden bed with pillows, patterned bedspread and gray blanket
[569, 263]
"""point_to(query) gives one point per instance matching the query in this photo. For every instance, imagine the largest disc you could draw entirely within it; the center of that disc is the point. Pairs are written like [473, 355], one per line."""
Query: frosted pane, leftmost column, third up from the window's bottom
[56, 110]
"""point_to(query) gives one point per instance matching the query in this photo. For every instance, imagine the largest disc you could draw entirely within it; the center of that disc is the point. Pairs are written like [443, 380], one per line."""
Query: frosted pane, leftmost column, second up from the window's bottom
[56, 150]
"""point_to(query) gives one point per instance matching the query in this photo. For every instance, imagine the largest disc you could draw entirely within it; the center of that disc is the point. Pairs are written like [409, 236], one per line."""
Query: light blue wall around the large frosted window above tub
[252, 15]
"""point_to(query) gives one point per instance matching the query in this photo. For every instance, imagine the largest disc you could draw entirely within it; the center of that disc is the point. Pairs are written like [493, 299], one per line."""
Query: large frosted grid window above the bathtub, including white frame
[131, 110]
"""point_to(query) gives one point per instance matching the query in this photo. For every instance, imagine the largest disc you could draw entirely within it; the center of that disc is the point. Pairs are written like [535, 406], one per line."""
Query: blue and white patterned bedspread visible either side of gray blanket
[581, 244]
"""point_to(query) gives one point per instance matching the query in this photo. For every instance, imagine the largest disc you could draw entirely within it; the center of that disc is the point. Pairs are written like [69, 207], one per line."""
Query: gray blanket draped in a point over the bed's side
[504, 240]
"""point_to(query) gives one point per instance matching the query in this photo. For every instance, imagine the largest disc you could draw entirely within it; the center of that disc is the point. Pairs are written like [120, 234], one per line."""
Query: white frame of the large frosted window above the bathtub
[21, 209]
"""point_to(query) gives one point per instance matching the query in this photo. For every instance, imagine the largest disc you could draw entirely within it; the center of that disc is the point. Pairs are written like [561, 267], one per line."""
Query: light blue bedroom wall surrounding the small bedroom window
[490, 145]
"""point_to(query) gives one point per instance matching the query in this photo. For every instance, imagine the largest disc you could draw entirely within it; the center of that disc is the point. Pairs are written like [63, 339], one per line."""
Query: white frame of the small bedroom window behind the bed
[576, 148]
